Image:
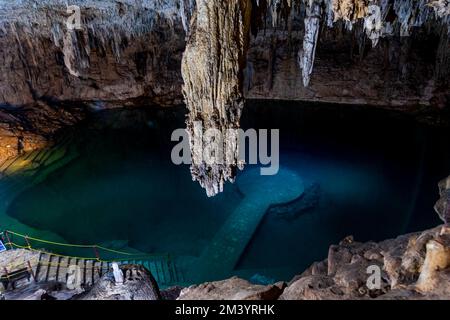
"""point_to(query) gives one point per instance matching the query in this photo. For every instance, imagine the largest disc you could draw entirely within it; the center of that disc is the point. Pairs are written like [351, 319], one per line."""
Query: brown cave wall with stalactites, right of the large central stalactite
[338, 52]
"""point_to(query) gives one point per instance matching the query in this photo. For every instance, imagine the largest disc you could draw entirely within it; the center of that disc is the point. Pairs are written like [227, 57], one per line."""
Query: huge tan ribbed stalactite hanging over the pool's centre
[212, 70]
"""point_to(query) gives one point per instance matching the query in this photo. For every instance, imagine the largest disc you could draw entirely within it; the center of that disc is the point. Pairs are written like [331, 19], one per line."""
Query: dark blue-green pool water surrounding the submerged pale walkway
[366, 173]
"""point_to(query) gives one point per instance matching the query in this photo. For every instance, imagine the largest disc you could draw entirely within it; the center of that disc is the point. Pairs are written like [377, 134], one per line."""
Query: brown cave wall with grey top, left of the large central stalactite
[120, 51]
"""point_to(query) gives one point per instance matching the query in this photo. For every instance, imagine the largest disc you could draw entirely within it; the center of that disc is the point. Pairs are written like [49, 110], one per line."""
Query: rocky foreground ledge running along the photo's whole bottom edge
[414, 266]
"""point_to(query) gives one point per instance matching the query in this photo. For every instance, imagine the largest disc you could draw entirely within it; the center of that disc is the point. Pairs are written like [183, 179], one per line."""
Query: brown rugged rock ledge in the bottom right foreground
[415, 266]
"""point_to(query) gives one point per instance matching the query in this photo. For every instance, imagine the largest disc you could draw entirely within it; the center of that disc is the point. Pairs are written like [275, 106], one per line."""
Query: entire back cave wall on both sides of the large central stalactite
[129, 52]
